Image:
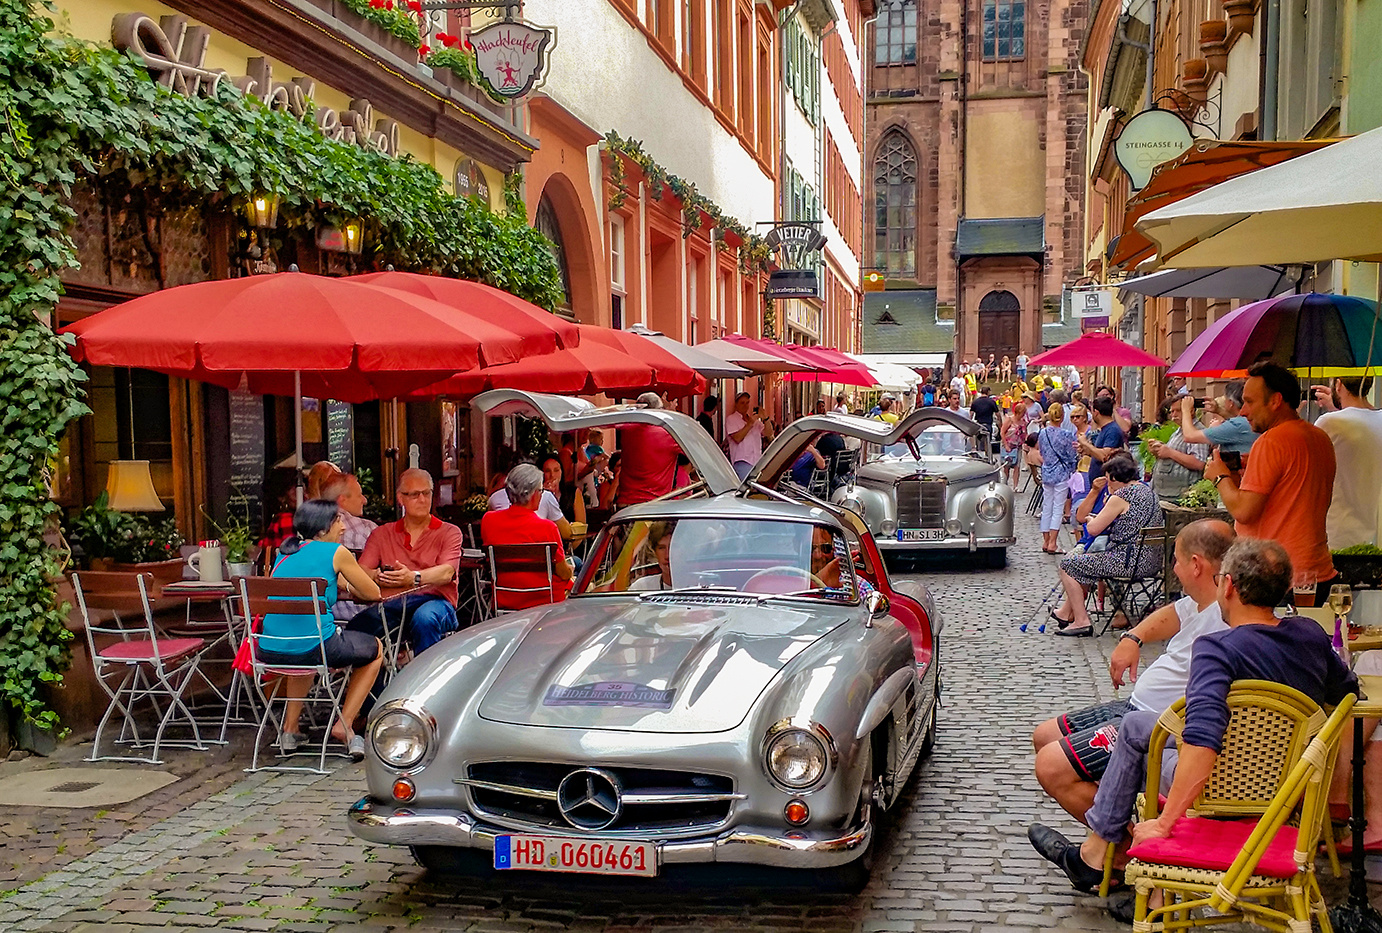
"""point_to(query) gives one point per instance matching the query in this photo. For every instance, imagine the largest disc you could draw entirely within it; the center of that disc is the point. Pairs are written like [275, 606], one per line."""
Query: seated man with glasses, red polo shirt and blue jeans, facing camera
[418, 551]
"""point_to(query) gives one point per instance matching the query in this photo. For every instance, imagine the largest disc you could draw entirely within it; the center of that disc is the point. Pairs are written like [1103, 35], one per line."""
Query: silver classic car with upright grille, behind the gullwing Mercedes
[934, 486]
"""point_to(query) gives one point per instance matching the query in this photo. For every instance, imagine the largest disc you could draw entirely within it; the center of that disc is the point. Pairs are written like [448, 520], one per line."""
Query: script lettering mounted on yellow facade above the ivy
[176, 56]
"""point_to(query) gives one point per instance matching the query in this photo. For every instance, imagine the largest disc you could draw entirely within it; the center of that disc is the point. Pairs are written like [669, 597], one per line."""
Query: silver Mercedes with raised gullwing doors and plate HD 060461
[735, 679]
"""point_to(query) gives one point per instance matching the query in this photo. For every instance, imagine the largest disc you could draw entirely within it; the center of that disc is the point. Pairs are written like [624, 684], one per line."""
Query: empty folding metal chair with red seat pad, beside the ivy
[150, 667]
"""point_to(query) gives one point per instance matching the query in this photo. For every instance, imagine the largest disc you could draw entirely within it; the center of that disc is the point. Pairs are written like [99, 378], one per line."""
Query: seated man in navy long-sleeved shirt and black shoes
[1258, 646]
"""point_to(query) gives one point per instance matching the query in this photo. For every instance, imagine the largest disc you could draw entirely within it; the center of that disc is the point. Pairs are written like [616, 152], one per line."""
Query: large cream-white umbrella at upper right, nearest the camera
[1325, 205]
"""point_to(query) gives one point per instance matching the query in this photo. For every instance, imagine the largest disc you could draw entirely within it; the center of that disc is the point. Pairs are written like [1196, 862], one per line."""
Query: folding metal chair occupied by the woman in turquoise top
[291, 596]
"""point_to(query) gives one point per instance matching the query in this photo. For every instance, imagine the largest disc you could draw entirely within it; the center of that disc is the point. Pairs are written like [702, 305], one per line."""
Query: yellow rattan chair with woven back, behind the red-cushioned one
[1269, 728]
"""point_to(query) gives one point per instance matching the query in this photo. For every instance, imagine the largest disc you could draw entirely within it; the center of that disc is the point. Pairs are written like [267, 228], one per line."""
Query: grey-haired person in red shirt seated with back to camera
[519, 525]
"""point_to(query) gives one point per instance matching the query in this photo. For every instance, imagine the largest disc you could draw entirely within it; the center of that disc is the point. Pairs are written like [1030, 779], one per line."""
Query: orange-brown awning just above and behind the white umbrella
[1206, 165]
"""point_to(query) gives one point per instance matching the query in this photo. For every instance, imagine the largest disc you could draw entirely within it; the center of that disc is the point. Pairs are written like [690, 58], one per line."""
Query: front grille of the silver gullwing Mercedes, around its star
[653, 801]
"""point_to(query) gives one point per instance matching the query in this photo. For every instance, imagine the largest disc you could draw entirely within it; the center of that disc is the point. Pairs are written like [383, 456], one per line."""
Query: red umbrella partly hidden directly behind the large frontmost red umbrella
[540, 331]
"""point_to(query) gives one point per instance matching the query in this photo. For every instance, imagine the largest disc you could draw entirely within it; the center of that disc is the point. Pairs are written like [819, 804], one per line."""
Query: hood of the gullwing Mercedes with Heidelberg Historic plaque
[652, 667]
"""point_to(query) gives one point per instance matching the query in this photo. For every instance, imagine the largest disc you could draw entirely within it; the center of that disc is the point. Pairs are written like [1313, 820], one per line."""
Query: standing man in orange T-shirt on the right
[1286, 490]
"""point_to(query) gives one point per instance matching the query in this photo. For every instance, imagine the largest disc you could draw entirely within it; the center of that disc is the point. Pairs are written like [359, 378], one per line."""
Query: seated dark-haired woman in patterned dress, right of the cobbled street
[1130, 508]
